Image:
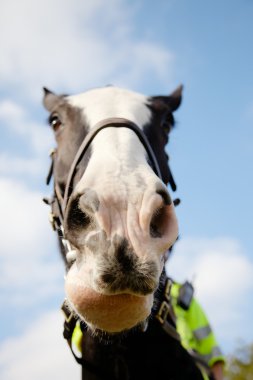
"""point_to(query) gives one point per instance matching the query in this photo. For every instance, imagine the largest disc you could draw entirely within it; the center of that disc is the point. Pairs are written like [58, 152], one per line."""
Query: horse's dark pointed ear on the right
[168, 103]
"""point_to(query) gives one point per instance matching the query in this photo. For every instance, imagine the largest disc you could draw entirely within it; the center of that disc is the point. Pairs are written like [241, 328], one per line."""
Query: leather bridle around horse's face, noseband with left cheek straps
[59, 203]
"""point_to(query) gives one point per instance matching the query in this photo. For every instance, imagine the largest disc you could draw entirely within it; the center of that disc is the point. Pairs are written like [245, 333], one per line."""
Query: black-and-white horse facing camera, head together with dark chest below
[116, 220]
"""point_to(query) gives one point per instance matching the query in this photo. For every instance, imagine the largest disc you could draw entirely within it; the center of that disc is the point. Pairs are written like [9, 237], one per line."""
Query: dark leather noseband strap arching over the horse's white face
[110, 122]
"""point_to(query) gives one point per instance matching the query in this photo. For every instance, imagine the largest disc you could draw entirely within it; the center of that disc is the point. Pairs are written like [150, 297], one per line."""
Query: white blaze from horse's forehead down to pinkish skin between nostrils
[118, 170]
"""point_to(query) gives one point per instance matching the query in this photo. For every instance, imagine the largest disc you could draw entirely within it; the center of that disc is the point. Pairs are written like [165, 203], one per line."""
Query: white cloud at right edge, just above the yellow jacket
[223, 279]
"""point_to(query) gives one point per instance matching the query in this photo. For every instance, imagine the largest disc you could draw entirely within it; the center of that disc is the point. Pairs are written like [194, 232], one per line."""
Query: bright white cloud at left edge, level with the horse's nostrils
[23, 221]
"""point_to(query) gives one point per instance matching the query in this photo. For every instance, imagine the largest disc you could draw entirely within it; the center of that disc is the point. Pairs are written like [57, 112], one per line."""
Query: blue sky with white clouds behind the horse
[150, 47]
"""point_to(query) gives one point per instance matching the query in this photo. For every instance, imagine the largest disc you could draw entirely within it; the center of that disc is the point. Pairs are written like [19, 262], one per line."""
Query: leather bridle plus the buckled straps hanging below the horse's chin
[59, 204]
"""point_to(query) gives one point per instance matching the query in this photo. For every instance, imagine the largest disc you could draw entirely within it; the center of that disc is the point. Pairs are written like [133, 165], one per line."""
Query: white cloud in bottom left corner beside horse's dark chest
[39, 353]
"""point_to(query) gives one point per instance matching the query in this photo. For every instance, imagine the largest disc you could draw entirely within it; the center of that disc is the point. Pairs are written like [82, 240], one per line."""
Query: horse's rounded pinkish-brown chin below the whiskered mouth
[108, 313]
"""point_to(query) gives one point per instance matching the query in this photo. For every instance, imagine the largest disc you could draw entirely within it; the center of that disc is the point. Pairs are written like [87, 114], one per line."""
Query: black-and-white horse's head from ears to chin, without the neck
[117, 213]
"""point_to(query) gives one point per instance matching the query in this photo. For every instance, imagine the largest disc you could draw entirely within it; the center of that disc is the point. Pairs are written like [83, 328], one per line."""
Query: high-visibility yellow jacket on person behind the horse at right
[194, 329]
